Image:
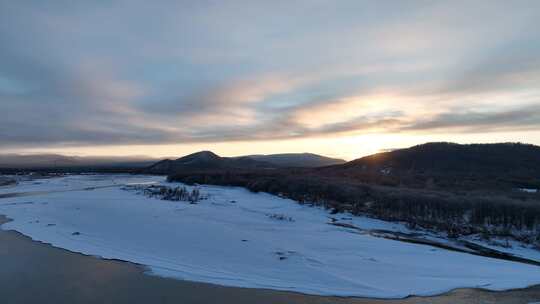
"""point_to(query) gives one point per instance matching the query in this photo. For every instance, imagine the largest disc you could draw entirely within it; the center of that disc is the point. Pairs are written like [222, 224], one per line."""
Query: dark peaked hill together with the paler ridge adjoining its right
[206, 160]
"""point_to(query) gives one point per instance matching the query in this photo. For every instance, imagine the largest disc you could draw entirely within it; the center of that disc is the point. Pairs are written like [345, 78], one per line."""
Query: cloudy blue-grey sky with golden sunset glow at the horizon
[339, 78]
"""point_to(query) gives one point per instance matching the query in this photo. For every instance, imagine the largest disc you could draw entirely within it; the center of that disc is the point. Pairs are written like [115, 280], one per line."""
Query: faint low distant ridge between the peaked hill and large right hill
[306, 160]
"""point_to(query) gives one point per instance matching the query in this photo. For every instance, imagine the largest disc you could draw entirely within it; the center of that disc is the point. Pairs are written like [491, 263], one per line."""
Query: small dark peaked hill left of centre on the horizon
[205, 160]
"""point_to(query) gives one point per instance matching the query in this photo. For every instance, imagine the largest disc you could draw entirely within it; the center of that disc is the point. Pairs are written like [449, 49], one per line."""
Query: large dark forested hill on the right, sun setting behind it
[440, 165]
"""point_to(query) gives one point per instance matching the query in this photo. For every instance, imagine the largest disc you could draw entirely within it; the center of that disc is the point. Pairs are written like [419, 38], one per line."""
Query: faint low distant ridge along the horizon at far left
[41, 161]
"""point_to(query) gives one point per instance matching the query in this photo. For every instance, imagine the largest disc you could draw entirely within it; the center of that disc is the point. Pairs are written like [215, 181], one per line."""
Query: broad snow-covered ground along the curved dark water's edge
[235, 238]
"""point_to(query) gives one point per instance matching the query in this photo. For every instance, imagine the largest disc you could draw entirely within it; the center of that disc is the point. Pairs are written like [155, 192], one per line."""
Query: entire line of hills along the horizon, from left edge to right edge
[429, 166]
